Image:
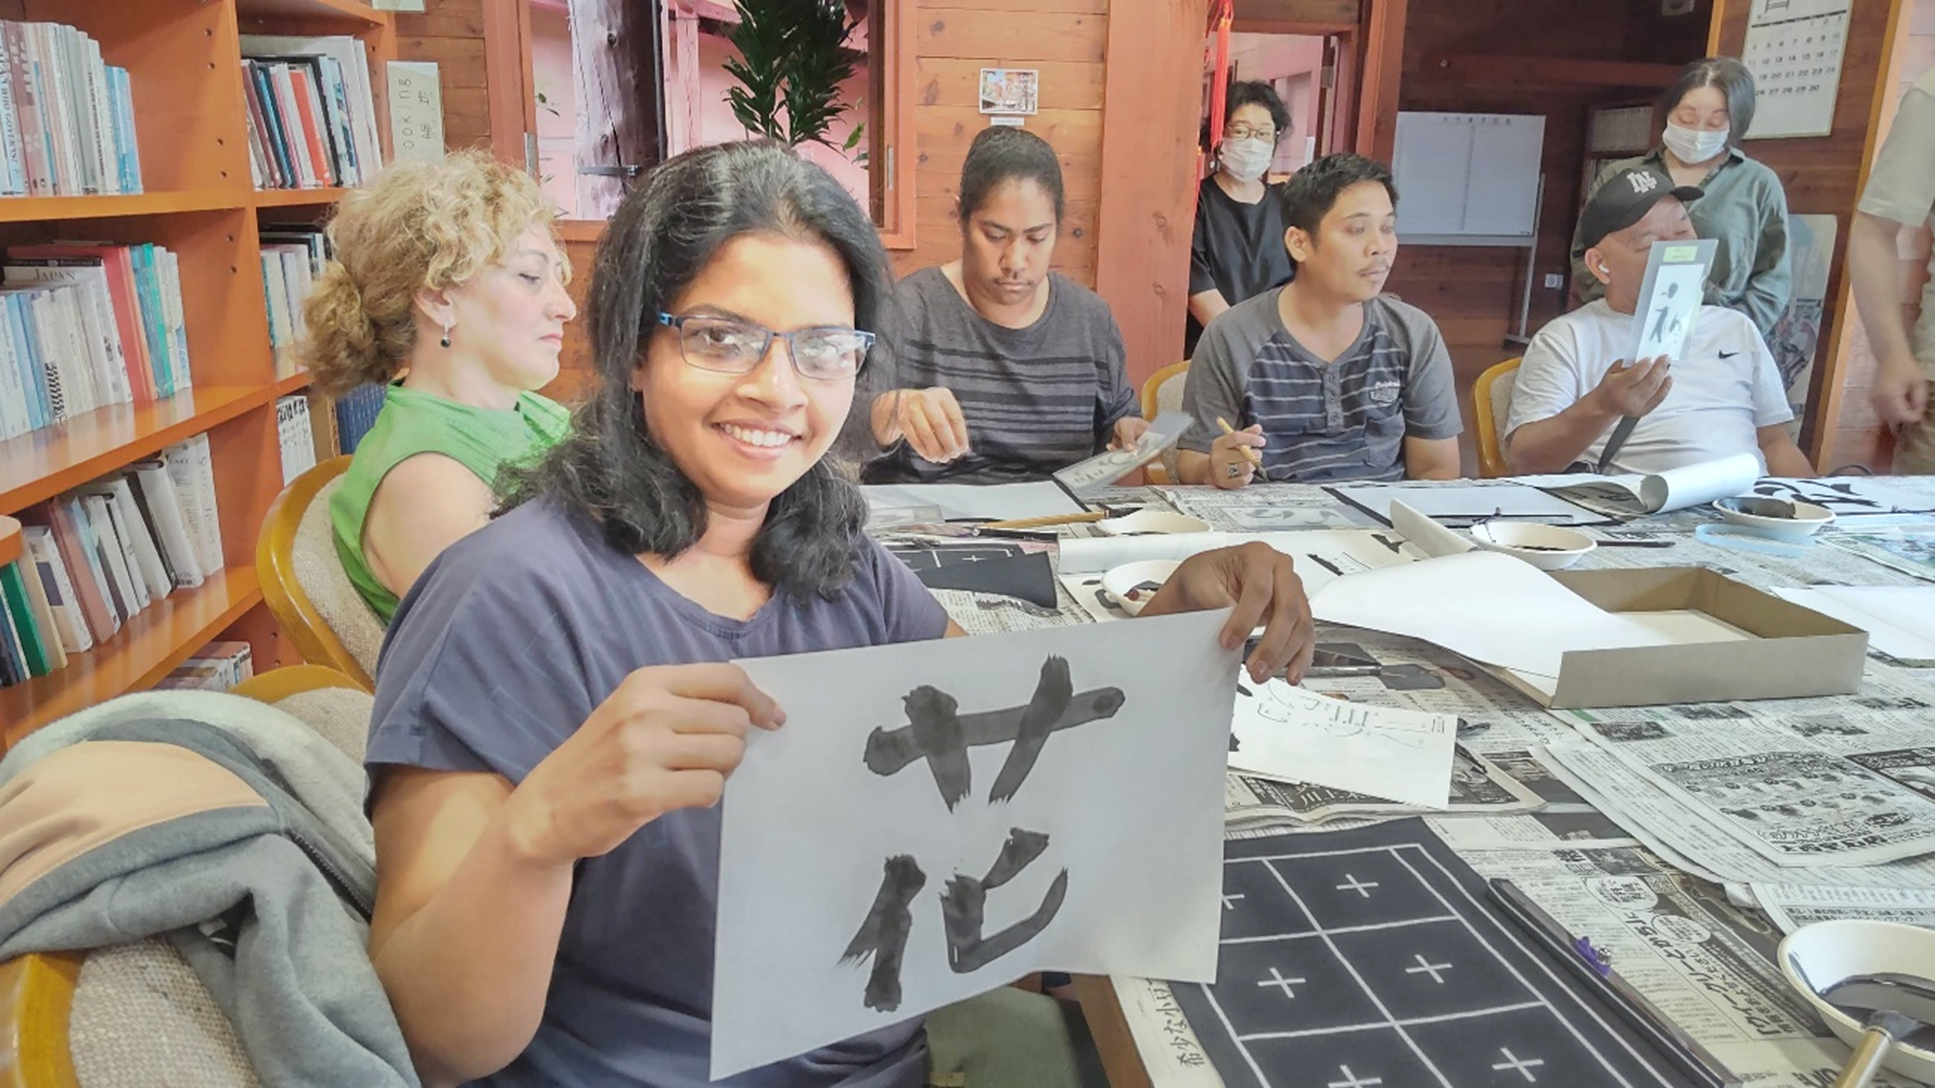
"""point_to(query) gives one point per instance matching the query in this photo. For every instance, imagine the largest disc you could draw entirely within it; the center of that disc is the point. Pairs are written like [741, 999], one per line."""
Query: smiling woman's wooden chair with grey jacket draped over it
[136, 1015]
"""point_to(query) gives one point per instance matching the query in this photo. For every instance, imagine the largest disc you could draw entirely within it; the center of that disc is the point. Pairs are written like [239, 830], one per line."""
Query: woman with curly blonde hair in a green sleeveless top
[450, 287]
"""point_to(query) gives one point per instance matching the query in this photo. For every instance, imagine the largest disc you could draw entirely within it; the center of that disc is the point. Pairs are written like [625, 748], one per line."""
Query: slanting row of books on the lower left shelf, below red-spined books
[102, 555]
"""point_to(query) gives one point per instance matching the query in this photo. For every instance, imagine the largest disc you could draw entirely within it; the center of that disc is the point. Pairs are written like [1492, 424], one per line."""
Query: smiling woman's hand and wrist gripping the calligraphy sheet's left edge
[663, 742]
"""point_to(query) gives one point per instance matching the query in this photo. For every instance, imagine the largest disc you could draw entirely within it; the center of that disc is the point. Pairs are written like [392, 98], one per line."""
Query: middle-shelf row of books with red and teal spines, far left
[86, 326]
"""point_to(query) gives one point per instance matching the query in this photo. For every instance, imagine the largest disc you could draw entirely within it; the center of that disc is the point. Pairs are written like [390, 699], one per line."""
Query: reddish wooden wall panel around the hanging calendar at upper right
[1824, 177]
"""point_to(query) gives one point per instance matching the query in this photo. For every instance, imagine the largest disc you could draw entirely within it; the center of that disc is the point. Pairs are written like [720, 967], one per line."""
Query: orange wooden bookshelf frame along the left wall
[191, 121]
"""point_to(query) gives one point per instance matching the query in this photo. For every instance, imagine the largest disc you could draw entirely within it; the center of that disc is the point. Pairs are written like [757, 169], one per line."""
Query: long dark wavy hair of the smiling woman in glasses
[610, 469]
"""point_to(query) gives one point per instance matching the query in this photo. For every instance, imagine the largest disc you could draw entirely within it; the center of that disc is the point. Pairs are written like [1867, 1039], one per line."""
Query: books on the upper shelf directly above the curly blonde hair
[311, 111]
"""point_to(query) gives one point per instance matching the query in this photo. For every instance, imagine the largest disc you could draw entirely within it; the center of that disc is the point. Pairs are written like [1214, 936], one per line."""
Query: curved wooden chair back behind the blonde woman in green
[305, 584]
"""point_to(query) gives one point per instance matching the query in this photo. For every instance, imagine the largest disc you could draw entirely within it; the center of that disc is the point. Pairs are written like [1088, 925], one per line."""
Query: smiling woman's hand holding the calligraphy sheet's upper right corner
[1265, 589]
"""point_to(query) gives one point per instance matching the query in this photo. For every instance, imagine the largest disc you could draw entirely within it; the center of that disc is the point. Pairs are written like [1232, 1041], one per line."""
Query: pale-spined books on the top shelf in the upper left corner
[67, 119]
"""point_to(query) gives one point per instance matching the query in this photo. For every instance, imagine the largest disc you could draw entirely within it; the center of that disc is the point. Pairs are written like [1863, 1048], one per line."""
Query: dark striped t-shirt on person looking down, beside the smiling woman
[1036, 400]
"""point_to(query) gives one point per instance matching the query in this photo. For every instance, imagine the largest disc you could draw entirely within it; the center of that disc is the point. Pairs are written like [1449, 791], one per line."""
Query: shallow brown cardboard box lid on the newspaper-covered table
[1795, 653]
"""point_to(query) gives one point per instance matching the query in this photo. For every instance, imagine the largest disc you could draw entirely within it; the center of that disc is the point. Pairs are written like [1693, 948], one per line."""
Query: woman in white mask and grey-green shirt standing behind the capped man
[1706, 111]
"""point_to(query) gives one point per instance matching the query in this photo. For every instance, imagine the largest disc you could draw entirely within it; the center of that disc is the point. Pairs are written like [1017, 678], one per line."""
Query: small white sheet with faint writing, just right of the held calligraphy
[1294, 735]
